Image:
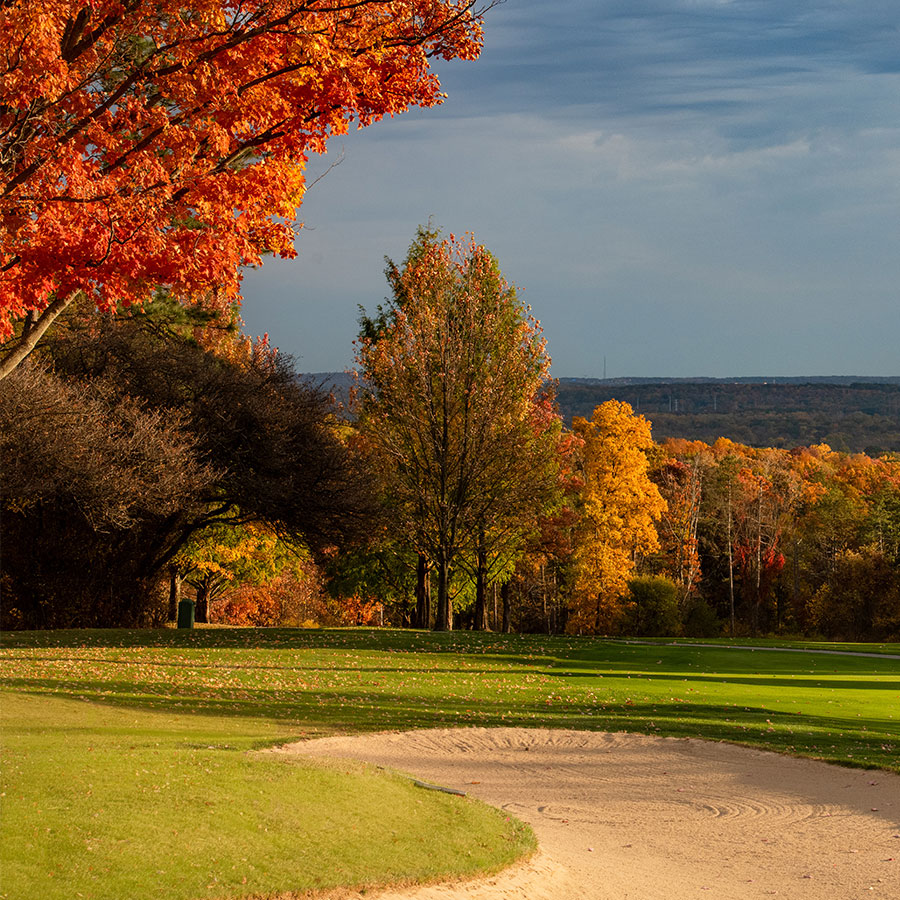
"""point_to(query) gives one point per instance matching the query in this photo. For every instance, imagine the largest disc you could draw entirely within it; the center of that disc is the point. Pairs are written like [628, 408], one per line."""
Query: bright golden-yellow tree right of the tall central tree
[621, 508]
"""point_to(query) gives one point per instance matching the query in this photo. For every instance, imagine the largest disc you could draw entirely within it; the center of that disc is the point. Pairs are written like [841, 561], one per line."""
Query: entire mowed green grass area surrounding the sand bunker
[126, 770]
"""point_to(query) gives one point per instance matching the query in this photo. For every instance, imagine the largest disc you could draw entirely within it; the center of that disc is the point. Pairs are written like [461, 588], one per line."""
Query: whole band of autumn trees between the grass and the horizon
[159, 454]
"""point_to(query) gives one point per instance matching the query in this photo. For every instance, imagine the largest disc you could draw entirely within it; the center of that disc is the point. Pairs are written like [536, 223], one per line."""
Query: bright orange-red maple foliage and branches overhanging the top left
[164, 143]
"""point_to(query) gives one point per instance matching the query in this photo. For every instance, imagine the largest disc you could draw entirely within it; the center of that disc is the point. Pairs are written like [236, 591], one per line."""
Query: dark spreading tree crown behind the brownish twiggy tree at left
[270, 437]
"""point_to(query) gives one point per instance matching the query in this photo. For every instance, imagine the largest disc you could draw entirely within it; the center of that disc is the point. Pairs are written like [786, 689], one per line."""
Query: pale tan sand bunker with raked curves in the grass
[631, 817]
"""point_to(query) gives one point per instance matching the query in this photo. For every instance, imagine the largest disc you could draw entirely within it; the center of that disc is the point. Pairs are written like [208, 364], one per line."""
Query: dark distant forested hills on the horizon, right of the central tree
[850, 415]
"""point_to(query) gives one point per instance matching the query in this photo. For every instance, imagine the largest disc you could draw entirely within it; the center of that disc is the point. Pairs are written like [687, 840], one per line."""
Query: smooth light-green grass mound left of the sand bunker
[137, 803]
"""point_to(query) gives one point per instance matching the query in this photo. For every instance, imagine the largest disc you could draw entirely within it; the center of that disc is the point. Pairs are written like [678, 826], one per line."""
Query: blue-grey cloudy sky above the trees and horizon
[677, 188]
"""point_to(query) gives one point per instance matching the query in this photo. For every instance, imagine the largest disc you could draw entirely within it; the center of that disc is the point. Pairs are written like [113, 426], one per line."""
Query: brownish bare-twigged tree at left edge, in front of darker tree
[88, 477]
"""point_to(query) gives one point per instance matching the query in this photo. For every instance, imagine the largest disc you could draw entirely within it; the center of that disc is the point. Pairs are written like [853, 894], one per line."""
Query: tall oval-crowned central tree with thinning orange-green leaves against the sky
[450, 372]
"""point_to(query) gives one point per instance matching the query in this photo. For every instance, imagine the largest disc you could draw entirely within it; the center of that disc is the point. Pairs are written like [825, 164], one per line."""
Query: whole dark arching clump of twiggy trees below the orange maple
[204, 442]
